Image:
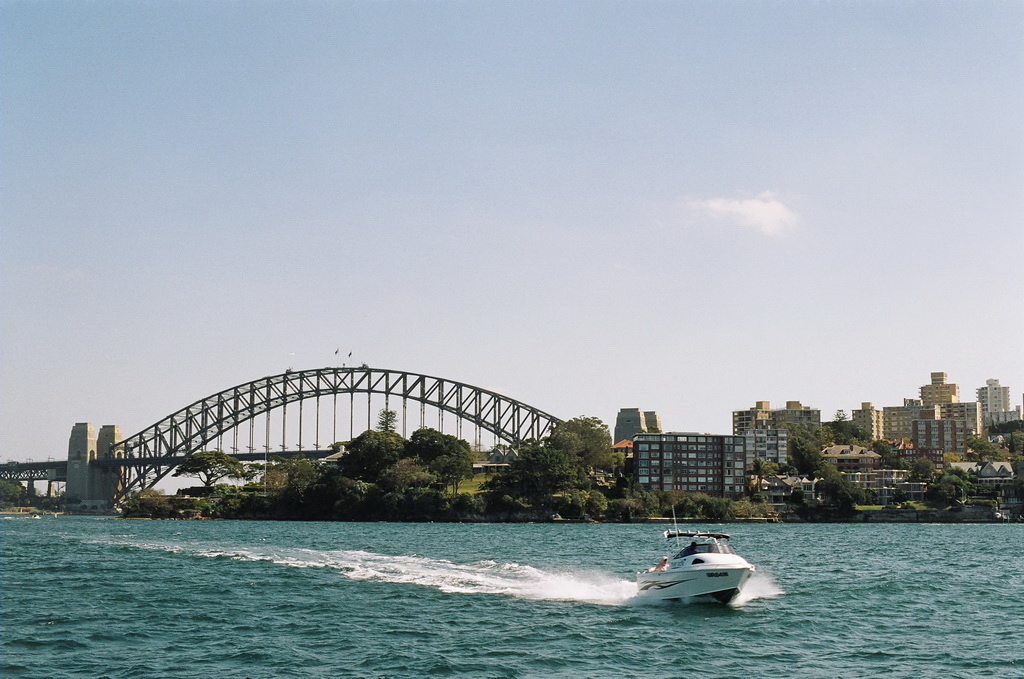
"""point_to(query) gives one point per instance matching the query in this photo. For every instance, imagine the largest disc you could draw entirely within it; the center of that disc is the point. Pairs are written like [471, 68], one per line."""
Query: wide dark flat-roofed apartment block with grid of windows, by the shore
[686, 461]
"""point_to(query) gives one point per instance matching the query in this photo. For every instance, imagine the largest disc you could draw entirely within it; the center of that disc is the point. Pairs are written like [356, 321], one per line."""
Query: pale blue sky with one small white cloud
[584, 205]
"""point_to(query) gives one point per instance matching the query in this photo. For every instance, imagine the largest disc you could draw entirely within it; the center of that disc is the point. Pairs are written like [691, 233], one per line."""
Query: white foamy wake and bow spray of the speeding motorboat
[486, 577]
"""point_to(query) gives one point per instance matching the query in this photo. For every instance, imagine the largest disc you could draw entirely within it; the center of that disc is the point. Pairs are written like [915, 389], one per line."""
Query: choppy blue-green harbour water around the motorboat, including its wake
[89, 598]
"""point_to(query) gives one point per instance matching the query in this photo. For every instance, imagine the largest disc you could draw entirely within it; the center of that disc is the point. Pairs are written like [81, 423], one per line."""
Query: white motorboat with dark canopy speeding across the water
[706, 569]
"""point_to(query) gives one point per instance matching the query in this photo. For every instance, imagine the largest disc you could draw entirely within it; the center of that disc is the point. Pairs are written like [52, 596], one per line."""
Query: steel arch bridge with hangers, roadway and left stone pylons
[295, 413]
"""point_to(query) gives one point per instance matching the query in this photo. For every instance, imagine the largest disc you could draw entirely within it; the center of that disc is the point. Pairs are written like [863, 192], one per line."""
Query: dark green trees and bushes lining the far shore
[572, 474]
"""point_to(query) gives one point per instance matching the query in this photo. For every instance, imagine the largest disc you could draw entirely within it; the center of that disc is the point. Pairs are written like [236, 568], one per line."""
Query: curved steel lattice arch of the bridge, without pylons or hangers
[150, 455]
